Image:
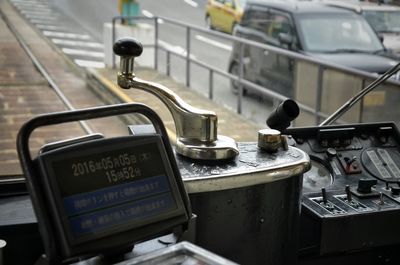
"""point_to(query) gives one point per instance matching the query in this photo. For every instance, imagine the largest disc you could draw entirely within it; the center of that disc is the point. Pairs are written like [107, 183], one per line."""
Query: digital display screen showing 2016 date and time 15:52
[110, 185]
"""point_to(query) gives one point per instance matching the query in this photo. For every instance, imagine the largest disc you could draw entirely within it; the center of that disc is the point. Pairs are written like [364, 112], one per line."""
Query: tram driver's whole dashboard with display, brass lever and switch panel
[310, 195]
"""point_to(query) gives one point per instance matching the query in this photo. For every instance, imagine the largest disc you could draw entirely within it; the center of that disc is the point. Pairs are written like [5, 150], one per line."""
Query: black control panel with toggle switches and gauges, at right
[351, 195]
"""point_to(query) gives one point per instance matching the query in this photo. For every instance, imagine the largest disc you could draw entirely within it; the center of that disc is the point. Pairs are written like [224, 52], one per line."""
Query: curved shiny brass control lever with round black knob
[196, 129]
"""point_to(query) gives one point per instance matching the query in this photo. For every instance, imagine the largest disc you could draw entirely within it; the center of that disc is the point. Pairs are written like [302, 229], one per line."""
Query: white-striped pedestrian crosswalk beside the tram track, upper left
[63, 31]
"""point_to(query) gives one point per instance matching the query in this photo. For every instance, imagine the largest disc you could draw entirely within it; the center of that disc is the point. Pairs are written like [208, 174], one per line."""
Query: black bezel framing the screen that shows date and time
[84, 150]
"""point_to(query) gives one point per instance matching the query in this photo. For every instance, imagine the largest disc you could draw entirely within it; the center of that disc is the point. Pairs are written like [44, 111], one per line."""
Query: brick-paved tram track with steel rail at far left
[36, 79]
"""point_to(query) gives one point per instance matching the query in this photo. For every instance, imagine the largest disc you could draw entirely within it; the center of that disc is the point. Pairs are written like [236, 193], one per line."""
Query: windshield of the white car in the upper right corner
[384, 21]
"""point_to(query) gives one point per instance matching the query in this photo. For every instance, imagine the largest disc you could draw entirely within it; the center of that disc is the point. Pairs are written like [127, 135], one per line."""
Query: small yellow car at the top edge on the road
[224, 15]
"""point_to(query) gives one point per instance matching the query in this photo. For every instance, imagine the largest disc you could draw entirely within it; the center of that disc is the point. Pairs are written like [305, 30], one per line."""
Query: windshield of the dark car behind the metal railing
[327, 33]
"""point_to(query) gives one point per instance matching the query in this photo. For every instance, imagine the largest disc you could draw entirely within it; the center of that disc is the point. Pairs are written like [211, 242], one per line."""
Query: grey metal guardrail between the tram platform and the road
[316, 111]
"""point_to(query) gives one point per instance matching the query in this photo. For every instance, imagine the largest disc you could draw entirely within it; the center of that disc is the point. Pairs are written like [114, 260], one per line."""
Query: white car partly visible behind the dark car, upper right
[384, 19]
